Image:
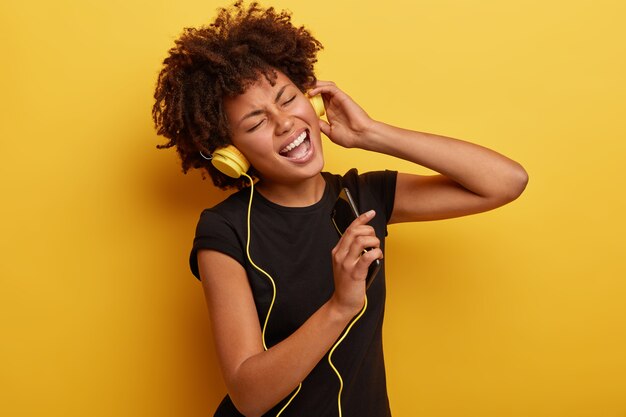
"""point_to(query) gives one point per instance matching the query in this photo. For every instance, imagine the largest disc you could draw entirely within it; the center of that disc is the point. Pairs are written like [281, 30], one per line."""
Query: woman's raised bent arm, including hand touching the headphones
[471, 178]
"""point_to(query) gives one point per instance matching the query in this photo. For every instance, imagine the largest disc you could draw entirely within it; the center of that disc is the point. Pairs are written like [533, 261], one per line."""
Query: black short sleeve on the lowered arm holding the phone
[215, 232]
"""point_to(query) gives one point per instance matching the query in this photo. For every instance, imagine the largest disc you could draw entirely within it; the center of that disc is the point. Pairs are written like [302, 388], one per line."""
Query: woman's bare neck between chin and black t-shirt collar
[301, 194]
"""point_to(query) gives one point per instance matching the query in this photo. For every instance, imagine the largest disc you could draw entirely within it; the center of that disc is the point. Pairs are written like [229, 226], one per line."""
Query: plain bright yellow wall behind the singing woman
[518, 312]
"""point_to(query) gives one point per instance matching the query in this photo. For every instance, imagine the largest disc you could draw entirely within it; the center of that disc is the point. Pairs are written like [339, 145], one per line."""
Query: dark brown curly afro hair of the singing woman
[222, 60]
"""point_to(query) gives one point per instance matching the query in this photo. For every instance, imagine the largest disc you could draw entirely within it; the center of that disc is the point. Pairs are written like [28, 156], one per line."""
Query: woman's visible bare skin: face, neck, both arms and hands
[471, 179]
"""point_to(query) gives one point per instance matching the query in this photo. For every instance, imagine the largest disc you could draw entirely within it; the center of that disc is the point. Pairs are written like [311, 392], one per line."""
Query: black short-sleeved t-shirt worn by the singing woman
[294, 244]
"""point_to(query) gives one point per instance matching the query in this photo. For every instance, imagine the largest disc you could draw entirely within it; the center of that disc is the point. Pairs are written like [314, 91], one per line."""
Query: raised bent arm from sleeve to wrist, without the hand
[472, 178]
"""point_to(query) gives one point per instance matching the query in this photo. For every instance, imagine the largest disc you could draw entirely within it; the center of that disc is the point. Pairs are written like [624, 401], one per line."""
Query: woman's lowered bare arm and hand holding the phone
[257, 379]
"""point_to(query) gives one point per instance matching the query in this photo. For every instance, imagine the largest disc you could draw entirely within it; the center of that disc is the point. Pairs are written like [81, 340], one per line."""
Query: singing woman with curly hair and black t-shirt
[296, 331]
